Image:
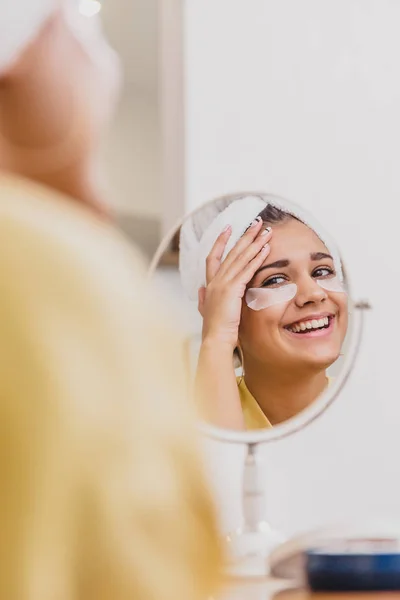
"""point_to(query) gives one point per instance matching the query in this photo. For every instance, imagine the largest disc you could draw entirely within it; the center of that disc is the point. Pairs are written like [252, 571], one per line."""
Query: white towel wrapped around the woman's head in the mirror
[196, 244]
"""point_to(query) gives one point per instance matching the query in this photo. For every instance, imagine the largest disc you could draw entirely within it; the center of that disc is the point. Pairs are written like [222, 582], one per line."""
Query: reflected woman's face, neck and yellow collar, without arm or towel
[293, 323]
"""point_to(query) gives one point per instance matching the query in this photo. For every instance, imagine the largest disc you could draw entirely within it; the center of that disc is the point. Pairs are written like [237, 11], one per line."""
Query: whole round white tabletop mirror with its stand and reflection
[271, 334]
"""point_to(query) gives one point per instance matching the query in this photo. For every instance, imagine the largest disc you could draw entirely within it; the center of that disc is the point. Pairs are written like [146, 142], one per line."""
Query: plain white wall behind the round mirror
[303, 99]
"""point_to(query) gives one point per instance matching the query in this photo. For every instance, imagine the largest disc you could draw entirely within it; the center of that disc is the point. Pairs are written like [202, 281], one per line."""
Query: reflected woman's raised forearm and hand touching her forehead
[220, 305]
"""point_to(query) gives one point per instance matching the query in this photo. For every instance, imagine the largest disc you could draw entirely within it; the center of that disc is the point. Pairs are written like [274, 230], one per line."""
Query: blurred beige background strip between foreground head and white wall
[132, 154]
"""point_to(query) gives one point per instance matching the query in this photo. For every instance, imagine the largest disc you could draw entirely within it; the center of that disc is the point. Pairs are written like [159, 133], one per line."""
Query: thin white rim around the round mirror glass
[319, 406]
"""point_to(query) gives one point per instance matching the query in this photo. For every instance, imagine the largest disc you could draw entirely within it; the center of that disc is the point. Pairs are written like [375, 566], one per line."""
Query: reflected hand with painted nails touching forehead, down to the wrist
[220, 303]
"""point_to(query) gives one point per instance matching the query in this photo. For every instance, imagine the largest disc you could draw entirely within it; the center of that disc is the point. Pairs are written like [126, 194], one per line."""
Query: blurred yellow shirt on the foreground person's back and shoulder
[91, 381]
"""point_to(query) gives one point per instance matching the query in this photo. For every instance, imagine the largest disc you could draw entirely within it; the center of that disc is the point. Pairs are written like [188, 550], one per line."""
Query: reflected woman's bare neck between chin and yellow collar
[281, 398]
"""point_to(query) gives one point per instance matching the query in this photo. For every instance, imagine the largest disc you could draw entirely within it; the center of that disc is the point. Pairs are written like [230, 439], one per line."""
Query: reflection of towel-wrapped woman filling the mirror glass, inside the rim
[269, 290]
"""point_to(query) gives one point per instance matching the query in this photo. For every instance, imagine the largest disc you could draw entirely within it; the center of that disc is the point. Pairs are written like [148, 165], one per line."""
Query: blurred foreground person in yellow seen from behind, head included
[103, 493]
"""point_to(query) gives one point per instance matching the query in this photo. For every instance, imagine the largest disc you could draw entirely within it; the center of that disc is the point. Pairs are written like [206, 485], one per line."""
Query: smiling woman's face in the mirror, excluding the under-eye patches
[297, 256]
